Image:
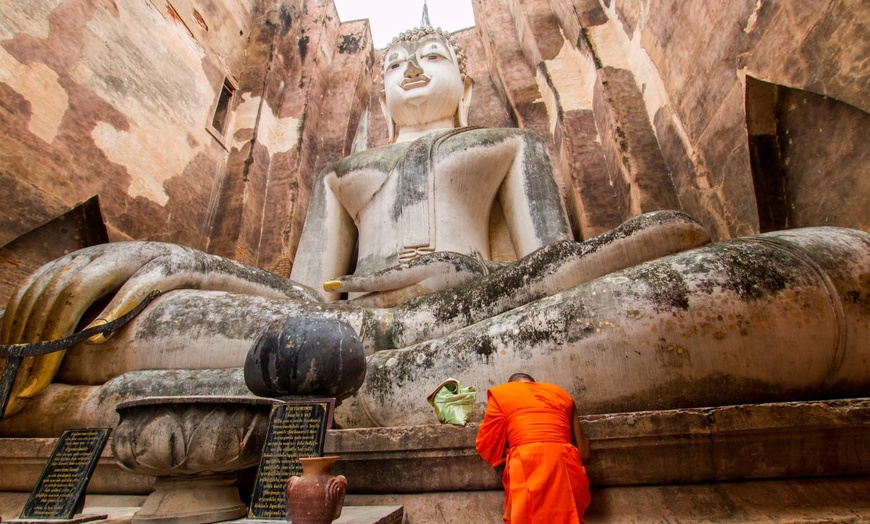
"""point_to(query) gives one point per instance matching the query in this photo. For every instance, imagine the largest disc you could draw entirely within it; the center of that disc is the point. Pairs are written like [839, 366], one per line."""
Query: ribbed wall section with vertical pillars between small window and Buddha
[308, 75]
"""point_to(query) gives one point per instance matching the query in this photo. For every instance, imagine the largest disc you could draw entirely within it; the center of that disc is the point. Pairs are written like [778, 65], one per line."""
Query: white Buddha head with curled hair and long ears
[424, 82]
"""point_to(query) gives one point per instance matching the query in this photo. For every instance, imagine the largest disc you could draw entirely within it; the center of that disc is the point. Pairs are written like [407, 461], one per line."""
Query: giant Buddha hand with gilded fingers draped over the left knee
[51, 302]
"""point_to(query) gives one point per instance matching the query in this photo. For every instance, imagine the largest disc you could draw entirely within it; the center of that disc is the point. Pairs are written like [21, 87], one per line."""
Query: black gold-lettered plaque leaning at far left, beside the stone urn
[60, 490]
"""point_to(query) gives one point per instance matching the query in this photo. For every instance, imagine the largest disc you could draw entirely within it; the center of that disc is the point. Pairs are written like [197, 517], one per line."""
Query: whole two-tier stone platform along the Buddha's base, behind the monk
[793, 461]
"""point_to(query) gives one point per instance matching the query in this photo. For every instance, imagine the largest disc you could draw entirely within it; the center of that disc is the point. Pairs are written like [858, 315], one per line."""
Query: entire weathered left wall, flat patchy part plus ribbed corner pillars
[114, 100]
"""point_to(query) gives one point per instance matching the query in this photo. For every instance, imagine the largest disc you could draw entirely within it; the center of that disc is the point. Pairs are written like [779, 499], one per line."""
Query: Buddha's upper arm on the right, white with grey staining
[530, 198]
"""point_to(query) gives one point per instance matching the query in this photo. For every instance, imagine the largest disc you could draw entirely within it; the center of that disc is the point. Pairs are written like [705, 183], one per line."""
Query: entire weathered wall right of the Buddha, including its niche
[646, 104]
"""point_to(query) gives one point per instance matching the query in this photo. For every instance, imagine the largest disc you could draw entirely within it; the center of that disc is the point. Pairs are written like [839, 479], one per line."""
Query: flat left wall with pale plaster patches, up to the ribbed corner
[113, 99]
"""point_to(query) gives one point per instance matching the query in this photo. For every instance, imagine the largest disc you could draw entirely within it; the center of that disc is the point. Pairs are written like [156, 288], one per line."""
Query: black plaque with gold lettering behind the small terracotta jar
[296, 429]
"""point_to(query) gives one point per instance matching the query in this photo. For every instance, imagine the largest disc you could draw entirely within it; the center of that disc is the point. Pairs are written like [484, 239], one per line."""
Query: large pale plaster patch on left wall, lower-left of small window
[138, 152]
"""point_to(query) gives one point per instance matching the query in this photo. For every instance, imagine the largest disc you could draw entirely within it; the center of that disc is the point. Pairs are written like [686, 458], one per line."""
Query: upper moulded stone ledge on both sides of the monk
[729, 443]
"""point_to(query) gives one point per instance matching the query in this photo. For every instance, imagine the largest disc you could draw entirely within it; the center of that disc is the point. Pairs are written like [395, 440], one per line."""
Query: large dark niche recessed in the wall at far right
[808, 154]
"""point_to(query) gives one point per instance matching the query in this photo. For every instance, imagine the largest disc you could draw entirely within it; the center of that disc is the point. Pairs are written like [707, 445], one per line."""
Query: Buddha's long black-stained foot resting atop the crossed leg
[548, 270]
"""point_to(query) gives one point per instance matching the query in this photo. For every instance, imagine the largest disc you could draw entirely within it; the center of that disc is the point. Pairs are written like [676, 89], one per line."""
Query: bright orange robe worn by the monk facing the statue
[544, 478]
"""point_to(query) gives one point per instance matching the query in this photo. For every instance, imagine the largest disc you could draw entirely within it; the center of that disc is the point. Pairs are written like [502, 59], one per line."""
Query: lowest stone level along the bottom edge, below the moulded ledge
[838, 500]
